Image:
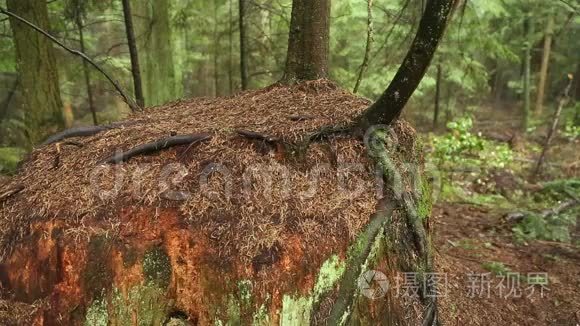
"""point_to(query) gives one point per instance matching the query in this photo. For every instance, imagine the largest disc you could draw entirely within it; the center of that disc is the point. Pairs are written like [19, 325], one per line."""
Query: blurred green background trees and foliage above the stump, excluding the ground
[192, 48]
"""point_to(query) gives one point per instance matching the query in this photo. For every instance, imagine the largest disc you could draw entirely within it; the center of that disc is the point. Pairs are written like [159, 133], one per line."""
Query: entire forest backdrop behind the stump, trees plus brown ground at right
[498, 111]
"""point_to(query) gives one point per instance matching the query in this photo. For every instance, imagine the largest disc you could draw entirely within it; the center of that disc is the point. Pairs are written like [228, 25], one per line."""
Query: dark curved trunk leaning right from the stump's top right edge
[392, 102]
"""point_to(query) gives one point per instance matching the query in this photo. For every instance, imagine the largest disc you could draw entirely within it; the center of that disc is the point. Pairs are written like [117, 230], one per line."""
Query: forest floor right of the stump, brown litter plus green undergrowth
[490, 276]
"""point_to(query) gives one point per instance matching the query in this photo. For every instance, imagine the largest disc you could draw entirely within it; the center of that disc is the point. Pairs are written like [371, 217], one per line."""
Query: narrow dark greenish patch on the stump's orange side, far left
[97, 276]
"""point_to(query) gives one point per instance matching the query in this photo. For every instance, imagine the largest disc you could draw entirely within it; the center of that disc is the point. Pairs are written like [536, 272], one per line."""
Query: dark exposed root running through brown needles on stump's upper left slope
[156, 146]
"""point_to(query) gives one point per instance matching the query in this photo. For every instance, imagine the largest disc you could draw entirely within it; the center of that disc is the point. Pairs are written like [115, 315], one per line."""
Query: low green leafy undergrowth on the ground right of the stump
[472, 168]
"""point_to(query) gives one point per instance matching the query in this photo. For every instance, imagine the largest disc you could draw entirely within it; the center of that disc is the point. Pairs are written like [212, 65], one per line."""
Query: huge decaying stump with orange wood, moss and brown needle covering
[268, 222]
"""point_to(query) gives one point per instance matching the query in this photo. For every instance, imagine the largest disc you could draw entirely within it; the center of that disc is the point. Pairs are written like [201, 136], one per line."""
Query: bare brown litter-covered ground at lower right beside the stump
[469, 239]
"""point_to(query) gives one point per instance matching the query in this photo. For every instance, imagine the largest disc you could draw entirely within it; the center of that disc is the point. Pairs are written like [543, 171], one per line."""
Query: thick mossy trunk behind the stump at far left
[39, 82]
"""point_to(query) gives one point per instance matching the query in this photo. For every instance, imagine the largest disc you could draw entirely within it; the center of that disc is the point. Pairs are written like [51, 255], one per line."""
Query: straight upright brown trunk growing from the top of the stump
[308, 43]
